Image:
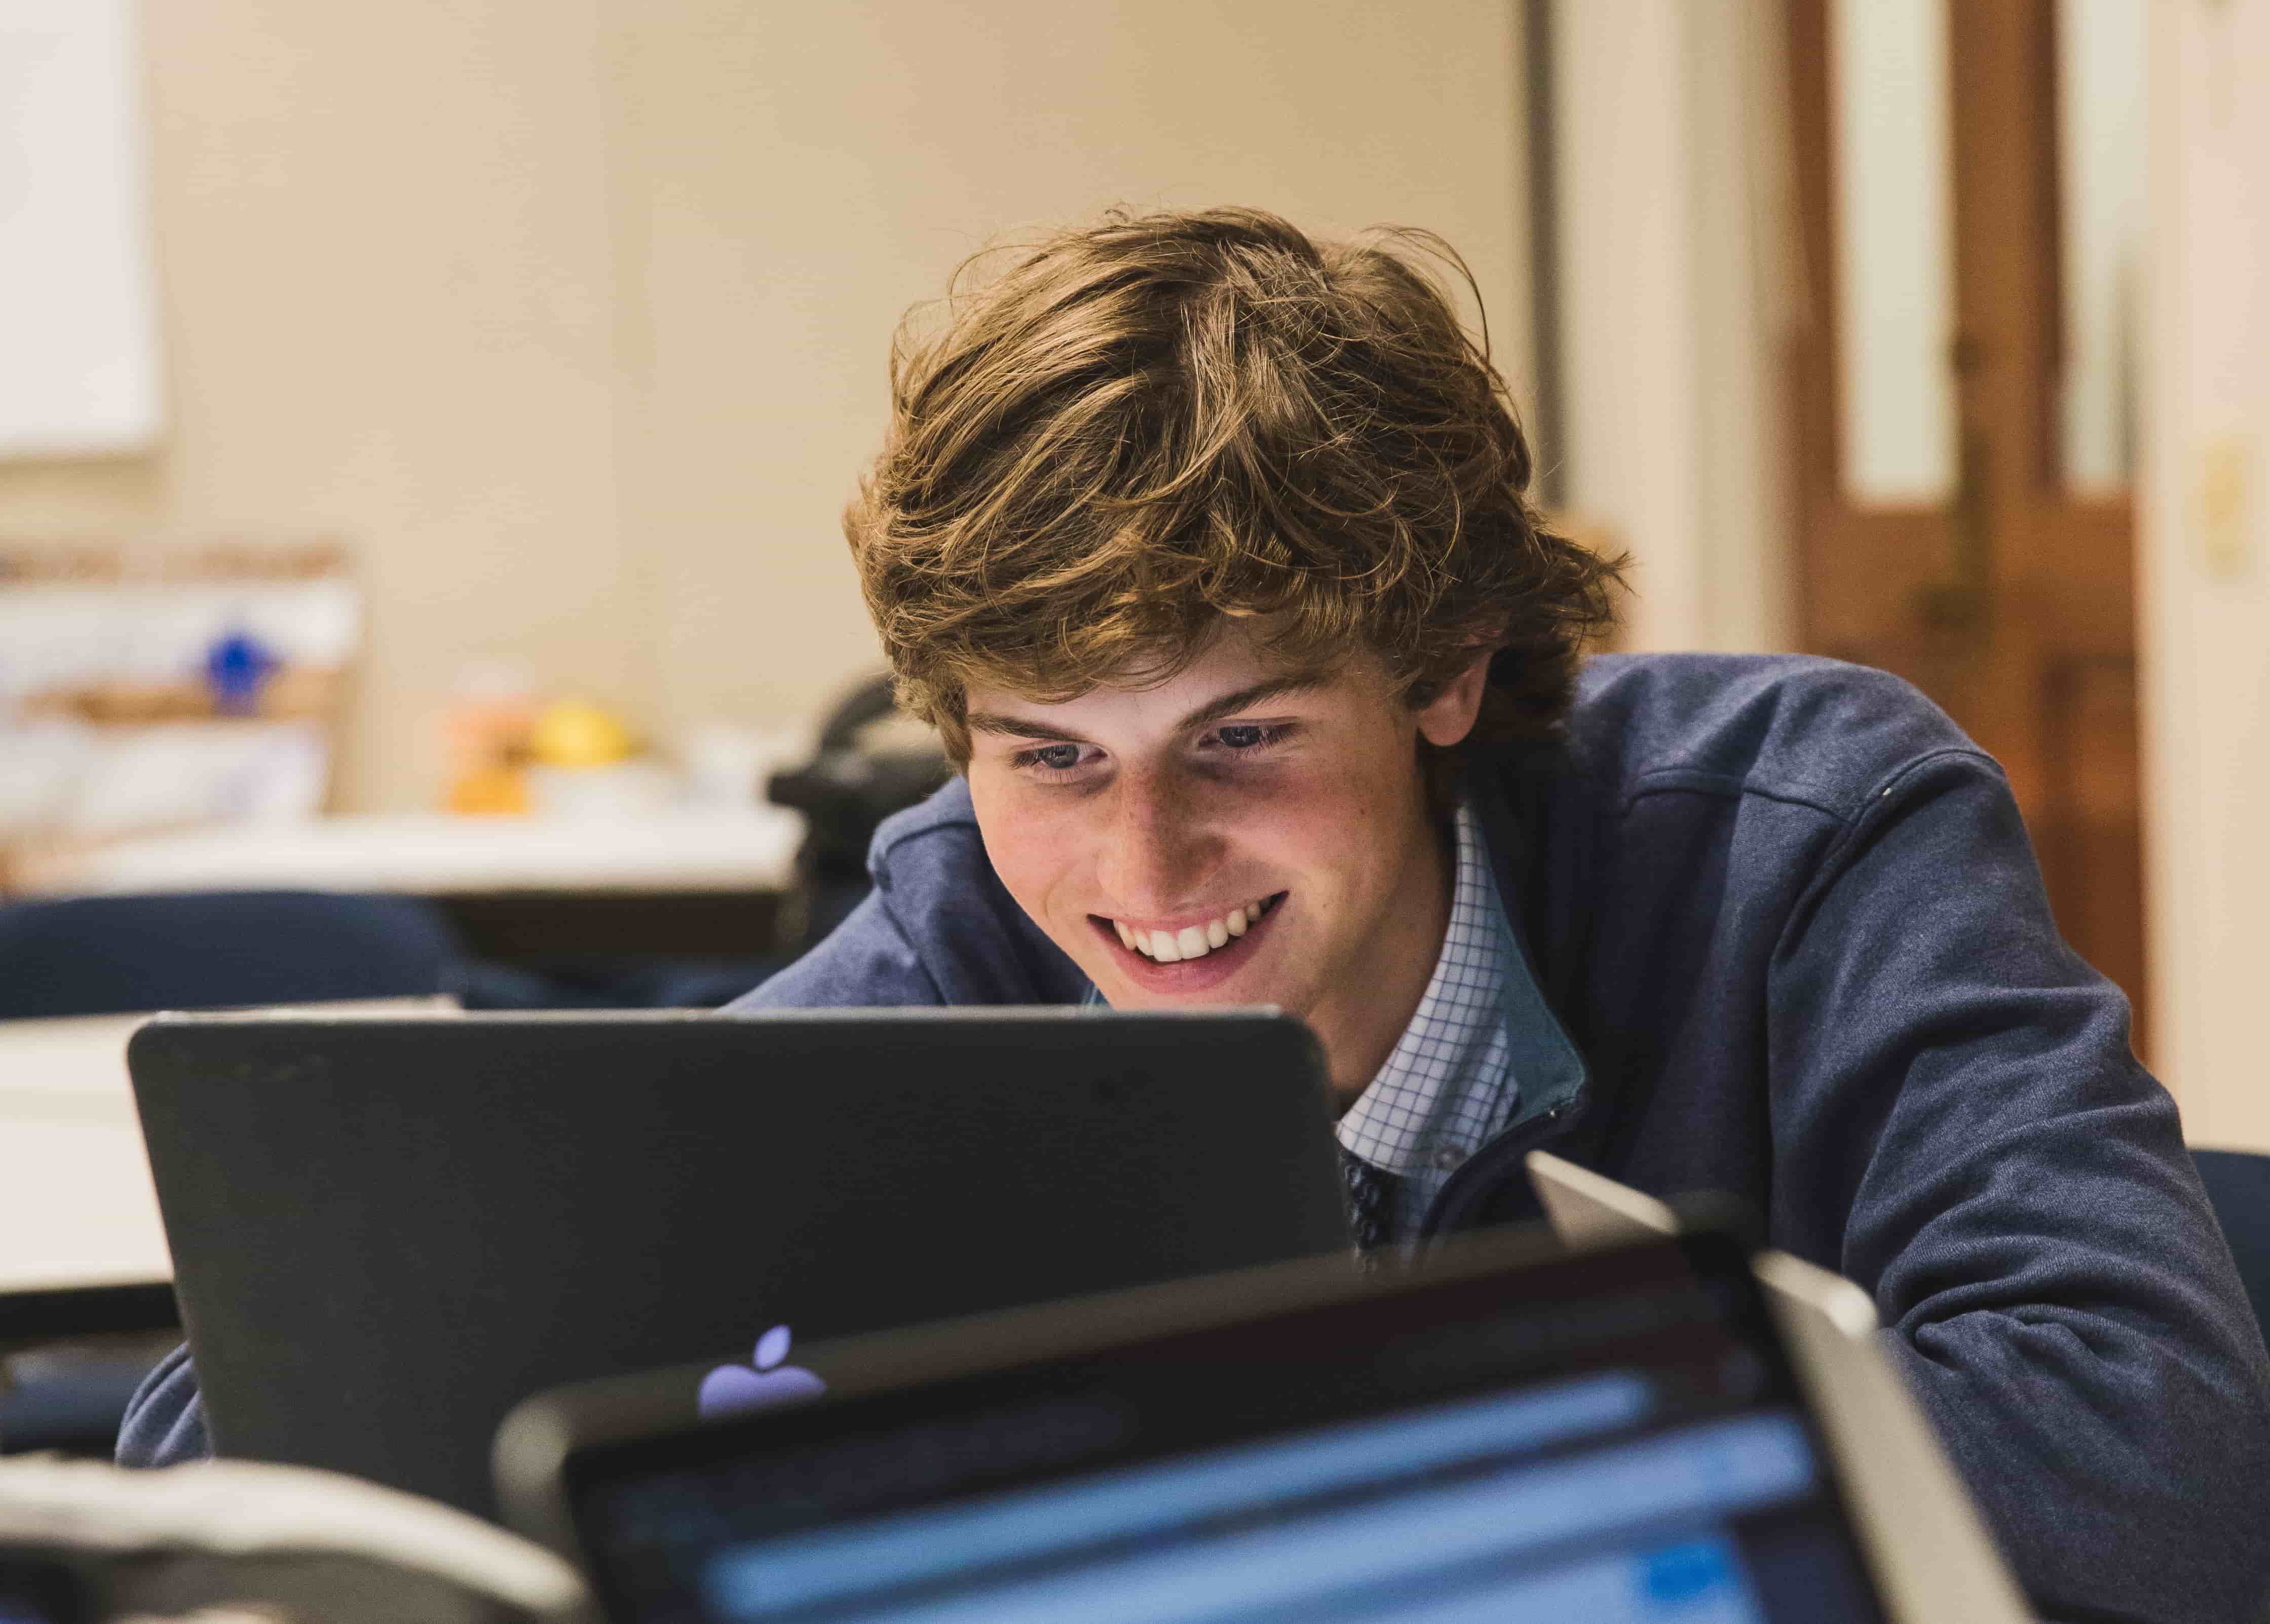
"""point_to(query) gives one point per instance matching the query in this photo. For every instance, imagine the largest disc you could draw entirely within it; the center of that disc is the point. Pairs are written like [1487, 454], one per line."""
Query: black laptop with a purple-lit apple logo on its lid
[387, 1232]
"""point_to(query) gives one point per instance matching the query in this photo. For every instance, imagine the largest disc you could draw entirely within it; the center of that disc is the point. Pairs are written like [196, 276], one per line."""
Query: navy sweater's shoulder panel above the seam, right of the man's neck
[1790, 728]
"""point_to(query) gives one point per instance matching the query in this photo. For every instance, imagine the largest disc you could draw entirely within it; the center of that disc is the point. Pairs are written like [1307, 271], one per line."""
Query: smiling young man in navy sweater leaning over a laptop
[1207, 551]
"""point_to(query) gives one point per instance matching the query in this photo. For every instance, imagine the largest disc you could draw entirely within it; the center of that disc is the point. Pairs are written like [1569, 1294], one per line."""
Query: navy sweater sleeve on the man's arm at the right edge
[1956, 1096]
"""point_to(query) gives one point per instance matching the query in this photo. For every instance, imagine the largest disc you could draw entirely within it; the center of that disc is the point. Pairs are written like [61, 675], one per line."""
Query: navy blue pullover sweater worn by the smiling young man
[1792, 944]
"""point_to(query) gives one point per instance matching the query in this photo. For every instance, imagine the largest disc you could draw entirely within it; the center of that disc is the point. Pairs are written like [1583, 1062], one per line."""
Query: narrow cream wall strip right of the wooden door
[2205, 553]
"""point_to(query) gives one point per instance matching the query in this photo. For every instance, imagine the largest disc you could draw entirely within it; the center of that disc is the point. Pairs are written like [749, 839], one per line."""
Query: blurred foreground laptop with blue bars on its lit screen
[1506, 1432]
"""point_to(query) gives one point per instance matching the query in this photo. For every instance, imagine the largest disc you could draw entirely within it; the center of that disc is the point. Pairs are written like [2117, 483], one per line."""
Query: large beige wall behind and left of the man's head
[571, 315]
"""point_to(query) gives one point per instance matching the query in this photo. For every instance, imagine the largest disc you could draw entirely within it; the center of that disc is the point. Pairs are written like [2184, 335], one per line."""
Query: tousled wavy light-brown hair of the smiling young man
[1163, 421]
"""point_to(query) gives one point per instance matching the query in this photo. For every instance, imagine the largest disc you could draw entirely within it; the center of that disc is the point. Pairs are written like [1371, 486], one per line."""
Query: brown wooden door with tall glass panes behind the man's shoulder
[2012, 601]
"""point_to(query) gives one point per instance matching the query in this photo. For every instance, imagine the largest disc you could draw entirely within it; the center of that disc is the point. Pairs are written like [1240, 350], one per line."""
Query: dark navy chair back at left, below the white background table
[210, 951]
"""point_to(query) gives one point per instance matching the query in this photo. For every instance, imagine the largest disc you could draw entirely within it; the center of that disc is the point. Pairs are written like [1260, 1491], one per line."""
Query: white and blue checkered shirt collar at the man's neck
[1447, 1087]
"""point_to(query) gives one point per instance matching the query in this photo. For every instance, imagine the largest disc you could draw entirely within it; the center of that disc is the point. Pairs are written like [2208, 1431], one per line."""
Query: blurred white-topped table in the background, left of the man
[680, 882]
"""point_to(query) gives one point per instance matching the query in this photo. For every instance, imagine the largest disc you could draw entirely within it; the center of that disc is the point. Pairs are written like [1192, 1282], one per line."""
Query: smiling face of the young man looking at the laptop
[1231, 837]
